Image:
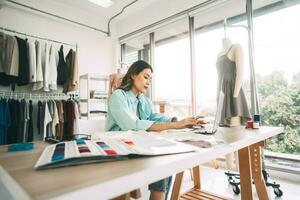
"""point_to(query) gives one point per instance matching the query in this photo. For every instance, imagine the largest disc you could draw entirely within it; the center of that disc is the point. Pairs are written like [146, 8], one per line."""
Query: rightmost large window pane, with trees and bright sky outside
[277, 65]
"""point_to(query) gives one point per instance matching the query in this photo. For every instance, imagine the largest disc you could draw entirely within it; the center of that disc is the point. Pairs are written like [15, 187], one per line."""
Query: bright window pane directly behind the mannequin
[208, 45]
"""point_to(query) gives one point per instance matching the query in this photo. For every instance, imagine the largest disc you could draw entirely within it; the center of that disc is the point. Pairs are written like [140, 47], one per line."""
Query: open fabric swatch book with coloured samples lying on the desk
[107, 149]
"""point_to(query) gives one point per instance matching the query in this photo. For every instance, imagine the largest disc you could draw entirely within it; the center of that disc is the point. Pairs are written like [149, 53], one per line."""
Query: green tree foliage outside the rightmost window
[280, 106]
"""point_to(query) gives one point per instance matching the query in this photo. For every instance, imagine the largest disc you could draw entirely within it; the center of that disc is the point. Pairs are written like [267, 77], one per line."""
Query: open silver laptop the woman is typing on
[209, 130]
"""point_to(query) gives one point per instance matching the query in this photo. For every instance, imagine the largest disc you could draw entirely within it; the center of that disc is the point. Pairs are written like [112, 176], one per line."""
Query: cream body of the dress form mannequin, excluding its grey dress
[234, 53]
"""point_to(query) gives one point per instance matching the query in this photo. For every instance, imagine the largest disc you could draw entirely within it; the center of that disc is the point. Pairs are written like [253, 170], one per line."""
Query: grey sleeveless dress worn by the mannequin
[232, 107]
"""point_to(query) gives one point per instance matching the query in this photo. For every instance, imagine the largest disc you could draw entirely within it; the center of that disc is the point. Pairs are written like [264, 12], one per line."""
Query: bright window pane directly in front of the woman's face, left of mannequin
[172, 68]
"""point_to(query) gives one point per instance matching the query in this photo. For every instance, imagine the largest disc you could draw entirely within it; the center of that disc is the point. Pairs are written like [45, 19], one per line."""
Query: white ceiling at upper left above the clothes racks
[86, 12]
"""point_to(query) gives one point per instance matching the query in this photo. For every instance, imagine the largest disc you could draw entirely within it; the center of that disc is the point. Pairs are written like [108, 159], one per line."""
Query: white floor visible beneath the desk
[216, 182]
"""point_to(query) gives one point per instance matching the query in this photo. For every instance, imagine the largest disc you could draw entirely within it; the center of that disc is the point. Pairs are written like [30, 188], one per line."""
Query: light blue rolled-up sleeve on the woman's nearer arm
[123, 116]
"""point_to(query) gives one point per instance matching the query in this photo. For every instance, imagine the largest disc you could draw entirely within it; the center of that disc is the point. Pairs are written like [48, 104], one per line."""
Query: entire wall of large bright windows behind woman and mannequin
[276, 62]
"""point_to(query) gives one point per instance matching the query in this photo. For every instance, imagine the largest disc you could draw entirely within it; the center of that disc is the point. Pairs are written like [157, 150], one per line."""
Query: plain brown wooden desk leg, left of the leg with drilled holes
[245, 174]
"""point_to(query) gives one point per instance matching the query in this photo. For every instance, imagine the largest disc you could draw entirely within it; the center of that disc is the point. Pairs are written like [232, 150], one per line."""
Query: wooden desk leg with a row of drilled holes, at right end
[256, 165]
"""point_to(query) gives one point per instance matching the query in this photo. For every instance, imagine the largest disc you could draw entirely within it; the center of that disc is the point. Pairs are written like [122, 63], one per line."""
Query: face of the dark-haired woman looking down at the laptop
[142, 81]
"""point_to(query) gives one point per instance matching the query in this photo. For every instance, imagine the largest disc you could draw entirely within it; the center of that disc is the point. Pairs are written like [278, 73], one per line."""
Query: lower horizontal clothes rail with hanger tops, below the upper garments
[39, 96]
